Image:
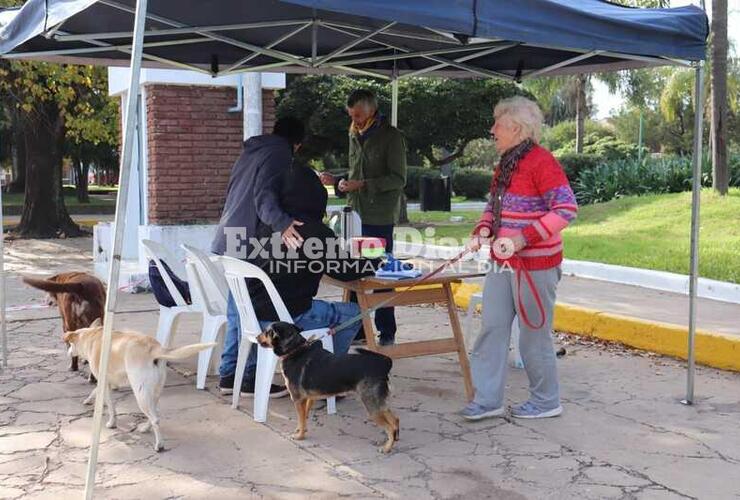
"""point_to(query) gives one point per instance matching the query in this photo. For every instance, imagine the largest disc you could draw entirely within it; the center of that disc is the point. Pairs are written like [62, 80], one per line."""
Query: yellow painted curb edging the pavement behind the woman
[714, 349]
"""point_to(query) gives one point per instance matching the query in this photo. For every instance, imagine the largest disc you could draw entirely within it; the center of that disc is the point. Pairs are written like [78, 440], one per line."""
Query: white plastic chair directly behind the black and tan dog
[236, 272]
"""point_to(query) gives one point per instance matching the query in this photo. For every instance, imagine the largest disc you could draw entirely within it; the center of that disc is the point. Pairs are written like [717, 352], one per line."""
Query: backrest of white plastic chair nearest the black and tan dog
[236, 272]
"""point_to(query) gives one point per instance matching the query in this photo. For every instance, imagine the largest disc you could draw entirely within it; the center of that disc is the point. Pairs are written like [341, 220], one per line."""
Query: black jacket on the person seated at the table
[297, 277]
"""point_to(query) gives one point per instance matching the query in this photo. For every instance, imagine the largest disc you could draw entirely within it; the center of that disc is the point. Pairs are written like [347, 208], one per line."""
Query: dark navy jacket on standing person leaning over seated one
[252, 193]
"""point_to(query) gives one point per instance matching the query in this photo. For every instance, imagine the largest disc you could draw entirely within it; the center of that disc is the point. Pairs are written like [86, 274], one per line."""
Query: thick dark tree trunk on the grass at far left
[44, 214]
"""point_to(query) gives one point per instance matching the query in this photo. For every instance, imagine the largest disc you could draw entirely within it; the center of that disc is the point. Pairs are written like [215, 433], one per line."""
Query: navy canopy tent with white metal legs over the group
[389, 39]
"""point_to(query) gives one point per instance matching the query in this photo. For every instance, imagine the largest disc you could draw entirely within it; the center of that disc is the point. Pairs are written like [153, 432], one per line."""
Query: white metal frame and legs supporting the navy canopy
[461, 66]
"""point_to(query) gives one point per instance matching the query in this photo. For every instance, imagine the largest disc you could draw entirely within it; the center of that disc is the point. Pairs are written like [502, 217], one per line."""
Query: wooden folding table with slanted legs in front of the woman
[436, 290]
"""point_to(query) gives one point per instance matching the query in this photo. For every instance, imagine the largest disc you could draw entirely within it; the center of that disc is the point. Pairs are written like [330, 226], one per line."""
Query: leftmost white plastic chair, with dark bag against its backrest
[167, 315]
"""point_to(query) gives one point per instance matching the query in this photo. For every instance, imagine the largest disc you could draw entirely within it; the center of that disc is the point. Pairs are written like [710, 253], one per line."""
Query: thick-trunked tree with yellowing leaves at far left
[45, 97]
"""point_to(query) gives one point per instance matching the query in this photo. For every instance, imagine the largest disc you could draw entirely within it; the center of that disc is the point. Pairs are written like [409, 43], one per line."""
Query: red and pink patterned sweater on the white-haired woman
[539, 203]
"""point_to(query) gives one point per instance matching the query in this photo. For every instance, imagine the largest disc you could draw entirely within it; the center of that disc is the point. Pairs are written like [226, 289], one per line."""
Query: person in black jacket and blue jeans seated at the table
[296, 275]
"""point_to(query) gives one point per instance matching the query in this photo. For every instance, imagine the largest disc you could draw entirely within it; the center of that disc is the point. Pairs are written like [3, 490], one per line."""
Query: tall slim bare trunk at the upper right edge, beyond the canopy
[720, 173]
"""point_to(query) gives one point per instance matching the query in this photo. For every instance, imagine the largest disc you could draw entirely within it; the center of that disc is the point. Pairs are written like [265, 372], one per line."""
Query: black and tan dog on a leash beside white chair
[312, 373]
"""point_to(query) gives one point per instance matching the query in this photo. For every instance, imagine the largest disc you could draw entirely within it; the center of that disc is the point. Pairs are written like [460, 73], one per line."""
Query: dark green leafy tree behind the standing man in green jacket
[433, 113]
